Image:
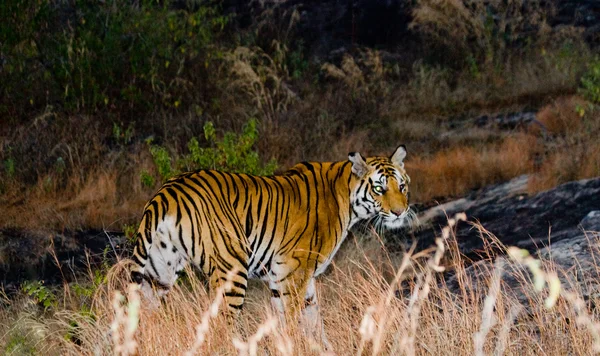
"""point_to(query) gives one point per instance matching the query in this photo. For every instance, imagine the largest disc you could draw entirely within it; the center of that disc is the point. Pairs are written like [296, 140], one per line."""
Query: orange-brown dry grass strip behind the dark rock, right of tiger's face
[560, 146]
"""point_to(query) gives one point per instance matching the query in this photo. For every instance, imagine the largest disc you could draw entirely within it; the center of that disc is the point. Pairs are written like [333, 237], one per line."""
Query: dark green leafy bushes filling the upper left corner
[92, 55]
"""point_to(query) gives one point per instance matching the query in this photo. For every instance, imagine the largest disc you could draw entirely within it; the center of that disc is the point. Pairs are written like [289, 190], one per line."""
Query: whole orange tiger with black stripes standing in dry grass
[283, 229]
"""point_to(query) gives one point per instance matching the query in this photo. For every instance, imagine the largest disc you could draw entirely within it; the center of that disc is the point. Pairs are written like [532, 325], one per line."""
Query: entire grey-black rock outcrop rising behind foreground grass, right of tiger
[561, 225]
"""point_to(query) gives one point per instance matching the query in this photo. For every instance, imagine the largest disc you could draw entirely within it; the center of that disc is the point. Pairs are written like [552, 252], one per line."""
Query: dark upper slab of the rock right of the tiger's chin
[517, 219]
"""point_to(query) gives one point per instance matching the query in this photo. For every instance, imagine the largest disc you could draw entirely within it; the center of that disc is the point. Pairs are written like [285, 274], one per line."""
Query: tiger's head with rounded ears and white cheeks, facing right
[381, 193]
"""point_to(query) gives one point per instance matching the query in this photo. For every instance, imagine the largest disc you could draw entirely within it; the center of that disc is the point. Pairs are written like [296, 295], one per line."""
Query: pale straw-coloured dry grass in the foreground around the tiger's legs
[365, 308]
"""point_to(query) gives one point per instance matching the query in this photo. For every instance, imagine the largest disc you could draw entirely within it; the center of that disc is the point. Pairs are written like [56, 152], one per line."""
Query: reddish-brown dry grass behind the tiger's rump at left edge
[104, 197]
